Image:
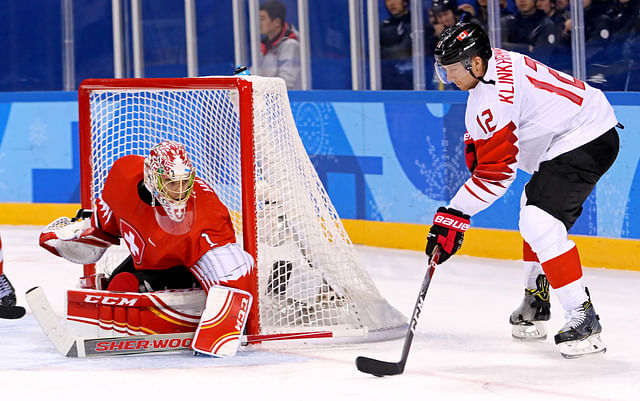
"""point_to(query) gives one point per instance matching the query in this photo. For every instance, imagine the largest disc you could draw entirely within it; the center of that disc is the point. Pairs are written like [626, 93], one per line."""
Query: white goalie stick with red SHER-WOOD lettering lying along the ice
[79, 347]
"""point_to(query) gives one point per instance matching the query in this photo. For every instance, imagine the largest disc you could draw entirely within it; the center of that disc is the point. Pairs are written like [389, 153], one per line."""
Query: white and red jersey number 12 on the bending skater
[532, 114]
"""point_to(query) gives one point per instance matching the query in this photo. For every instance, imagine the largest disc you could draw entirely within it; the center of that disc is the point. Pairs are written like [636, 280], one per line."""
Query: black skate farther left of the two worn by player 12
[528, 321]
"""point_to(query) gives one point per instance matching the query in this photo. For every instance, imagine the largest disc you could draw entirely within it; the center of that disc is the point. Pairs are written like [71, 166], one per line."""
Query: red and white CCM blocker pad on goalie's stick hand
[222, 322]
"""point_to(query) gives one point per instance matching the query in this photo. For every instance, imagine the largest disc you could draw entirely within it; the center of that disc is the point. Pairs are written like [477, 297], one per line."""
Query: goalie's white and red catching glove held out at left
[76, 239]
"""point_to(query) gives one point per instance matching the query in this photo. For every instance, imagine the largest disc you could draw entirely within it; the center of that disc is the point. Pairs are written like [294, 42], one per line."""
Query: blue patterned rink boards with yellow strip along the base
[387, 159]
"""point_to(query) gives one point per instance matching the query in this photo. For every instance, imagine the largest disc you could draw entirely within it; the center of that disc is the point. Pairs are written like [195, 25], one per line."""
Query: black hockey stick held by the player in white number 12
[382, 368]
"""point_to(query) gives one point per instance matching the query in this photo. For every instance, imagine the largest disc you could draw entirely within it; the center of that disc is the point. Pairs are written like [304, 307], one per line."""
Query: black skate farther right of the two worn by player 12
[581, 333]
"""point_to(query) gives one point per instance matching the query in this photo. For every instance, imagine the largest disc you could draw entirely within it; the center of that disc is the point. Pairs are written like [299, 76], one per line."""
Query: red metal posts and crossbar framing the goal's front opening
[247, 159]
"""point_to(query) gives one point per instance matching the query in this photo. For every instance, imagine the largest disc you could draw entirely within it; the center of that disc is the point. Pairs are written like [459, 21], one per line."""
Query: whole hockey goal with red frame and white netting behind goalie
[244, 143]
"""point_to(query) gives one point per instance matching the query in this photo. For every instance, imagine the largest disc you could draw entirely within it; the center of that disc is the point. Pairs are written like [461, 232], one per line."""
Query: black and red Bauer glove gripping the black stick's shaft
[447, 231]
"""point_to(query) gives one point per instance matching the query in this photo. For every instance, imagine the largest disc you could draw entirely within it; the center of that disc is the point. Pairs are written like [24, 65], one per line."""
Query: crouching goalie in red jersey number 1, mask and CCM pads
[184, 273]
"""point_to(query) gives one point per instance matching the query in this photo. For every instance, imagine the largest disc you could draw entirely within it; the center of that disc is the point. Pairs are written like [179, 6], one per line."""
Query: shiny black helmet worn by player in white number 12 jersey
[460, 42]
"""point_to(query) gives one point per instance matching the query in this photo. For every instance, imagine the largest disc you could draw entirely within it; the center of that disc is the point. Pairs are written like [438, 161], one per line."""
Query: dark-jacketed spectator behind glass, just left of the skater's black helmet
[396, 47]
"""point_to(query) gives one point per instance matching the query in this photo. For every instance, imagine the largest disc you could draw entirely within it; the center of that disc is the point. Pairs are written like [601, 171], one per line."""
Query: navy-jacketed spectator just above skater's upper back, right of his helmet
[529, 31]
